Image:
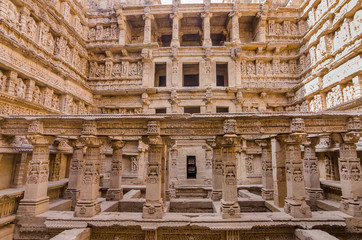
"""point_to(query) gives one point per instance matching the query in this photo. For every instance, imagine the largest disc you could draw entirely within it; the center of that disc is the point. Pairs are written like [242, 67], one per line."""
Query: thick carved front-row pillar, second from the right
[295, 204]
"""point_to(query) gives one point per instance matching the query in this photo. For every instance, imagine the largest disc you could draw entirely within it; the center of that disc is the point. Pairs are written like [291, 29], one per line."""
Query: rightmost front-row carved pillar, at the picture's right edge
[350, 173]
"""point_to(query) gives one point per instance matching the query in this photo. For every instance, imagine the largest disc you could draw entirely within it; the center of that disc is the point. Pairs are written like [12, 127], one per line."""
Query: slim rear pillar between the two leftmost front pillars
[75, 171]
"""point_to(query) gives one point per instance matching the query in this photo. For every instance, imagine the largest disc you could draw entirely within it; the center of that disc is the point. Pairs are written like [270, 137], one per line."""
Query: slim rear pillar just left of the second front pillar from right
[267, 191]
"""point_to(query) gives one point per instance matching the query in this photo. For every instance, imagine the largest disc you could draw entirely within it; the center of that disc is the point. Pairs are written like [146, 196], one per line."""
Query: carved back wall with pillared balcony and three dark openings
[260, 47]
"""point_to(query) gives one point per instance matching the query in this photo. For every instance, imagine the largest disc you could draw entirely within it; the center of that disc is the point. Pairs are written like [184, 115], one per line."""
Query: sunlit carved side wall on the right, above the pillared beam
[333, 45]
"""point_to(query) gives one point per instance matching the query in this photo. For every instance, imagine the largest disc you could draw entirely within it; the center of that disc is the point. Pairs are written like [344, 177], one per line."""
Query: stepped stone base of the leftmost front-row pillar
[33, 207]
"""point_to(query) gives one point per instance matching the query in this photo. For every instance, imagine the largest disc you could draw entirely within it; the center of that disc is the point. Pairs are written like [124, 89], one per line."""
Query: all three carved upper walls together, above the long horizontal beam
[302, 55]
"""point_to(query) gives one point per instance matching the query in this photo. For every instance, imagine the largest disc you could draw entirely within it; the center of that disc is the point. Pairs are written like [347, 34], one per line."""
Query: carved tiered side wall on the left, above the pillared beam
[43, 60]
